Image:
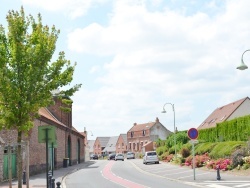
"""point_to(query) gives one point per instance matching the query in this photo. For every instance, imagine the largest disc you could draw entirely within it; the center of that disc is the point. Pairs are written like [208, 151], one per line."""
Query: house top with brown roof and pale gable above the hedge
[227, 112]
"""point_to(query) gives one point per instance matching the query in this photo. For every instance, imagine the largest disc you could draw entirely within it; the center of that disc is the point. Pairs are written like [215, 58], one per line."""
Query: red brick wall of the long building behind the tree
[37, 151]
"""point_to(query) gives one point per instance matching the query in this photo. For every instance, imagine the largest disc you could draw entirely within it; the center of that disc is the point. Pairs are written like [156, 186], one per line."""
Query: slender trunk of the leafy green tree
[19, 159]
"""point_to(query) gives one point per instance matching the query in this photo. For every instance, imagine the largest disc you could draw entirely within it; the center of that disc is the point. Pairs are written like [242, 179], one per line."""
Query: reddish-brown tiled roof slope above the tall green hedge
[221, 114]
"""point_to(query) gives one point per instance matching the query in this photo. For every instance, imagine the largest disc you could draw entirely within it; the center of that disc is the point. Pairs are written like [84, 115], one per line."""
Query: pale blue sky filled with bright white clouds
[134, 56]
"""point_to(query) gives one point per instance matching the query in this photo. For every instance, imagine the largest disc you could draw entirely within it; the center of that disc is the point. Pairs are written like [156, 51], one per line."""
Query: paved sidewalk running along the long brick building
[39, 180]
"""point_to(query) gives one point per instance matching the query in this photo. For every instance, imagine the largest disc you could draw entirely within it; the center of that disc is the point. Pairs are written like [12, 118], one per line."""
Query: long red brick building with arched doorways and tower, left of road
[69, 144]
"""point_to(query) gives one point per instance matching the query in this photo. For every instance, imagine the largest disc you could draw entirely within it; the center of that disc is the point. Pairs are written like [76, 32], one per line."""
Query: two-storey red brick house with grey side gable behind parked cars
[141, 134]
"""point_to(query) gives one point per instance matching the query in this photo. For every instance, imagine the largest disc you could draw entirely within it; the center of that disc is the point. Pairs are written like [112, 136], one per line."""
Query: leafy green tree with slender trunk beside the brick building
[28, 75]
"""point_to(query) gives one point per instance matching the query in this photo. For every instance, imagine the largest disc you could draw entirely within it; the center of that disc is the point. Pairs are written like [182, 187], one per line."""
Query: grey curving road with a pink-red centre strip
[134, 174]
